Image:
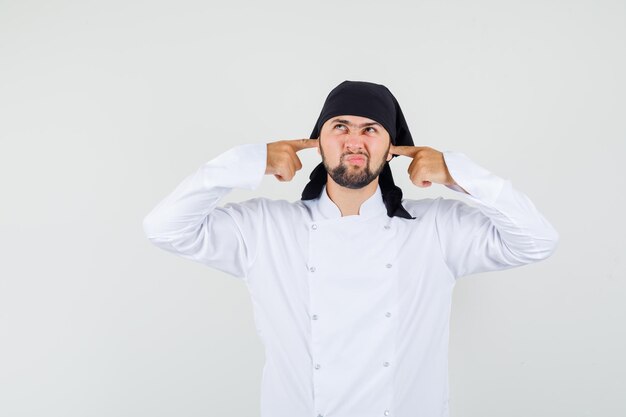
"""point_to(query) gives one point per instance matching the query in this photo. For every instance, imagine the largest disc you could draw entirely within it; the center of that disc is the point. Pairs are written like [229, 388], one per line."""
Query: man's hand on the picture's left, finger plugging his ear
[282, 161]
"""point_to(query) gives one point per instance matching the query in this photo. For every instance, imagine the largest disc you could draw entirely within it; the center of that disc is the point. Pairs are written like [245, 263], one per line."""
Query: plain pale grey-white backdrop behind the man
[106, 106]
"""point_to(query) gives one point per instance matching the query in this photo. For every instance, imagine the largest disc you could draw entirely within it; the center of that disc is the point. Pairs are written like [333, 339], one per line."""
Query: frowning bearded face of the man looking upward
[354, 150]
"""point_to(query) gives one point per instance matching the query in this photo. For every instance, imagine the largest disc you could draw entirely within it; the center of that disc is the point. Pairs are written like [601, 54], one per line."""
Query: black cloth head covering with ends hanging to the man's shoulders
[374, 101]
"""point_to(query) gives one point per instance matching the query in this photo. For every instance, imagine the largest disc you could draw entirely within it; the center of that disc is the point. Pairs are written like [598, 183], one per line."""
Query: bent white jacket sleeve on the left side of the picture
[189, 223]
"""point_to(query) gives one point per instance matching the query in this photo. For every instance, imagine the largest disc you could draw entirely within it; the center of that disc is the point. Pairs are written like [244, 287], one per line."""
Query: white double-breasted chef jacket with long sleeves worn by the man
[353, 311]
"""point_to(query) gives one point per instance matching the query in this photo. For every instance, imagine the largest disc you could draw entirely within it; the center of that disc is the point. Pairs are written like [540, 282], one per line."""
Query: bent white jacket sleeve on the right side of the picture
[504, 230]
